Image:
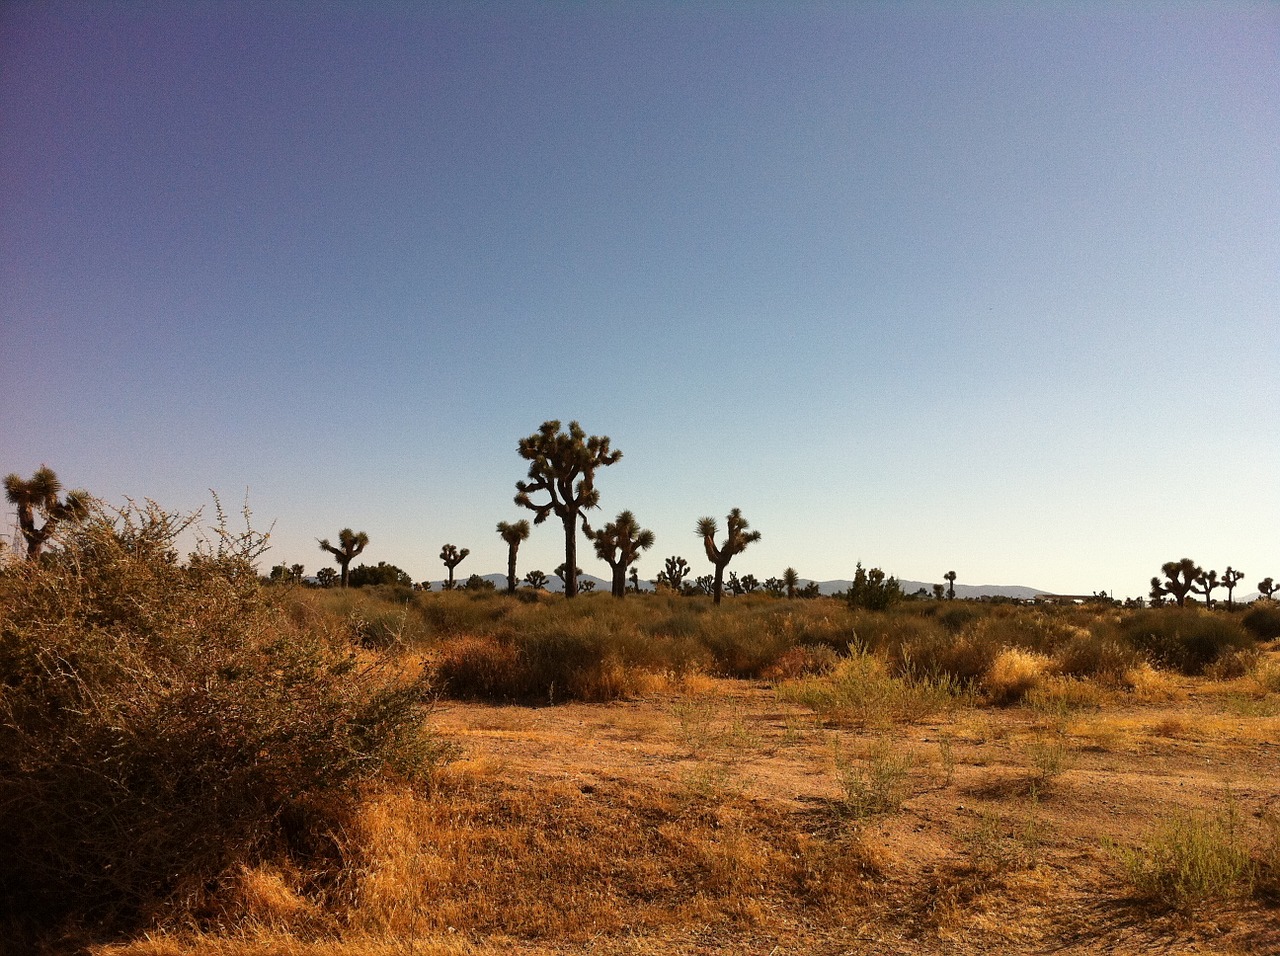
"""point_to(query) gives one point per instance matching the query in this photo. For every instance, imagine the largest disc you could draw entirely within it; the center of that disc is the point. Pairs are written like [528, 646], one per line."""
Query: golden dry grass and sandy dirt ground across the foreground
[712, 818]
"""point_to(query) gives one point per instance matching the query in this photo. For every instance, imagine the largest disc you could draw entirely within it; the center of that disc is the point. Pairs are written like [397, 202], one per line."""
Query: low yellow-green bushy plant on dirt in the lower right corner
[1191, 858]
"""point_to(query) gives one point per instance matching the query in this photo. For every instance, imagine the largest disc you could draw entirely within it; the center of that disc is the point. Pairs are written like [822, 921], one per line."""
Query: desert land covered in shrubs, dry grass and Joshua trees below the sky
[196, 758]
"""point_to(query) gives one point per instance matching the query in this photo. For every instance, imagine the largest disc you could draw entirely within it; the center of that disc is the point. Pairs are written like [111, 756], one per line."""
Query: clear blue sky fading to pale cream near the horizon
[985, 287]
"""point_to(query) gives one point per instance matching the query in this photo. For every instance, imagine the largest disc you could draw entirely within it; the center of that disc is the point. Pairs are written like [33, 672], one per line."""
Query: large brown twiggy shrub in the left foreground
[163, 724]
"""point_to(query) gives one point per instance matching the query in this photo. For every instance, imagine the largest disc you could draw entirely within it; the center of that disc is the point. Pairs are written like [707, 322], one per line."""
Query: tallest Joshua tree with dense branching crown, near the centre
[564, 468]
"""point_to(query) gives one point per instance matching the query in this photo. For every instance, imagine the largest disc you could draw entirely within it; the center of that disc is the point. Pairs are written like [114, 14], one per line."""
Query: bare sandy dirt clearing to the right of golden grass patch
[1000, 843]
